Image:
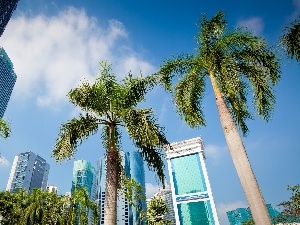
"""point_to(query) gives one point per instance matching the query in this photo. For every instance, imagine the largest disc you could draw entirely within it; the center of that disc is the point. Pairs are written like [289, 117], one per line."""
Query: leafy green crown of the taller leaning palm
[235, 61]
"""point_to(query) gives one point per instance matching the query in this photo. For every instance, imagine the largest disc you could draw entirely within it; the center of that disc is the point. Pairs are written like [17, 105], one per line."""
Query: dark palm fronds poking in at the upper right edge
[291, 39]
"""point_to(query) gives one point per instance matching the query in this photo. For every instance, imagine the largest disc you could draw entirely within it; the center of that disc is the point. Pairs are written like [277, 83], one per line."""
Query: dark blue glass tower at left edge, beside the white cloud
[7, 80]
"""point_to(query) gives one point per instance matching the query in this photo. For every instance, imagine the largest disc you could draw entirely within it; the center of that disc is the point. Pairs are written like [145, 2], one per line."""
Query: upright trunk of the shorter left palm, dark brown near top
[110, 205]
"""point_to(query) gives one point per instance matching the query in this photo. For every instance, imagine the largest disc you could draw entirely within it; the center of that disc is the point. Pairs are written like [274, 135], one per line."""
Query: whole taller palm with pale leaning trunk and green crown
[233, 62]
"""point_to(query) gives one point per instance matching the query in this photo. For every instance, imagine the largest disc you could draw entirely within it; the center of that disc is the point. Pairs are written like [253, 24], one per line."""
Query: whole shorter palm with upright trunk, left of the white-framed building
[112, 106]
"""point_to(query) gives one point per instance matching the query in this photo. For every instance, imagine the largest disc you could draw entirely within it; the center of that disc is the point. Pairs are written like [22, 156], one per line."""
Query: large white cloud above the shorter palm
[51, 55]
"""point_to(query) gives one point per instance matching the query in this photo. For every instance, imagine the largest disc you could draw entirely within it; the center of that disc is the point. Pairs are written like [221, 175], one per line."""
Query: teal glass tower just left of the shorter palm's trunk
[84, 177]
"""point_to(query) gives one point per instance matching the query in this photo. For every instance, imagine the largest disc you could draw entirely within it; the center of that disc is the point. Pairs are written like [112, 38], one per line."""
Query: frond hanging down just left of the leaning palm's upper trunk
[188, 97]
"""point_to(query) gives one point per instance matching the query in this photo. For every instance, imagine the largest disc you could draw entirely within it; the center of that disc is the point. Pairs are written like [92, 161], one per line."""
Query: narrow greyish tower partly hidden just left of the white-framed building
[166, 195]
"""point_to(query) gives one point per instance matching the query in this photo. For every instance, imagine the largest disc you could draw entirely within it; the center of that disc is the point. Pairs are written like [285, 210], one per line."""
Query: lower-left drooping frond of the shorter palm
[72, 134]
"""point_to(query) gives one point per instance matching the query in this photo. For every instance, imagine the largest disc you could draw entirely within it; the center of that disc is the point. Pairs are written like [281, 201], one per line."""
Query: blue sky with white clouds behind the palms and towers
[54, 45]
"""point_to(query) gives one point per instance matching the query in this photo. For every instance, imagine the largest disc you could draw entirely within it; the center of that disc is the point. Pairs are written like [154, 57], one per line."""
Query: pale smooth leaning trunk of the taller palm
[240, 160]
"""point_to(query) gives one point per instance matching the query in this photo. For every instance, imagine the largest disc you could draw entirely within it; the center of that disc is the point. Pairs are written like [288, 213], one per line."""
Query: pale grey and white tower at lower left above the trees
[28, 171]
